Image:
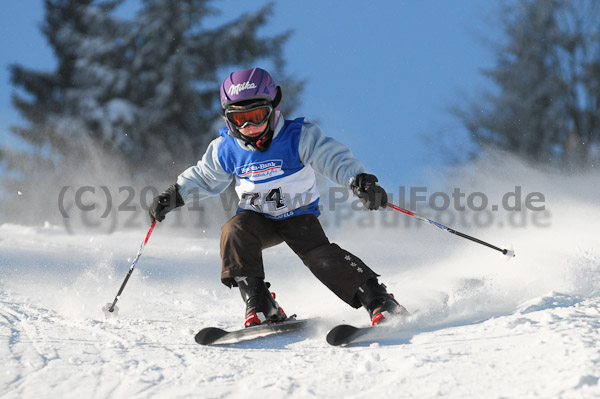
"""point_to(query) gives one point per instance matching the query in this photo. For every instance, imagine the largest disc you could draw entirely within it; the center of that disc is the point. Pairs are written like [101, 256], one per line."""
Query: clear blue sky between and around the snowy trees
[380, 75]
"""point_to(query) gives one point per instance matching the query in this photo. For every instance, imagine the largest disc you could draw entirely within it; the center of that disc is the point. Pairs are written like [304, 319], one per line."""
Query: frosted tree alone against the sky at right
[546, 108]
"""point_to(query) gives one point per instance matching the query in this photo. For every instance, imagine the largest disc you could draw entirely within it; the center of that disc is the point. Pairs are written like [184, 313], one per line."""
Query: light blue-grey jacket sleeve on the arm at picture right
[328, 156]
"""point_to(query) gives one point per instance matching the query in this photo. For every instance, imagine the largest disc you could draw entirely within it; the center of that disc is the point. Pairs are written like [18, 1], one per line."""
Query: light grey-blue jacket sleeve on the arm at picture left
[205, 179]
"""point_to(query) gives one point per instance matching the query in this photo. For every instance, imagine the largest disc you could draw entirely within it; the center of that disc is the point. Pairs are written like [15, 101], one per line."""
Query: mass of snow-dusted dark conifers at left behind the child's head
[131, 100]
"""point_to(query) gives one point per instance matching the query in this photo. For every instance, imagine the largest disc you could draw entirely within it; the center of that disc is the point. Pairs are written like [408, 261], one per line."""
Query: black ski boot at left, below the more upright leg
[260, 303]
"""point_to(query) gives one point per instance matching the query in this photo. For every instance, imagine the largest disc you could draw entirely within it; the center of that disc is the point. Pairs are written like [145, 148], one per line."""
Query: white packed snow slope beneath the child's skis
[482, 327]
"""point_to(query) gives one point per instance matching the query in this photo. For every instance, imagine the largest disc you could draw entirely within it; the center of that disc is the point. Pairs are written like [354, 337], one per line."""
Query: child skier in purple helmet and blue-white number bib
[273, 162]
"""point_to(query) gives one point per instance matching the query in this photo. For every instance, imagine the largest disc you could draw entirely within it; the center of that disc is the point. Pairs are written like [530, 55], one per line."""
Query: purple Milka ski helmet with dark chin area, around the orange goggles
[248, 88]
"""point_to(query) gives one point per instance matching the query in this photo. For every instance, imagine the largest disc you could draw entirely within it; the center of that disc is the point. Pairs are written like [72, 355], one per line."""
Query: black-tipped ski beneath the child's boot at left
[218, 336]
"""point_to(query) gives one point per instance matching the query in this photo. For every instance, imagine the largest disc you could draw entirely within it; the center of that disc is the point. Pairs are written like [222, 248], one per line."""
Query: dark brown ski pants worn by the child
[245, 235]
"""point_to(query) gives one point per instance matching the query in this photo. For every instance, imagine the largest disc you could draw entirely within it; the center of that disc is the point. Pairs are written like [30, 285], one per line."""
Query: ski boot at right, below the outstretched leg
[378, 302]
